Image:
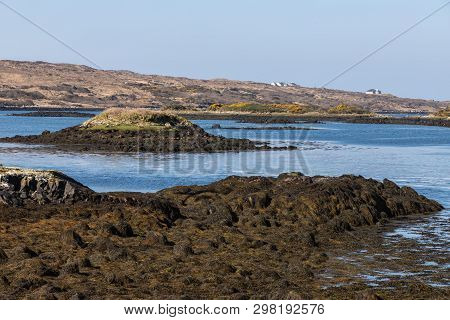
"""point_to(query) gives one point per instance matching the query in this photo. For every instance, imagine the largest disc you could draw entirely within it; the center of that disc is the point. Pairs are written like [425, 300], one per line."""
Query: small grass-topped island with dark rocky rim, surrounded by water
[137, 130]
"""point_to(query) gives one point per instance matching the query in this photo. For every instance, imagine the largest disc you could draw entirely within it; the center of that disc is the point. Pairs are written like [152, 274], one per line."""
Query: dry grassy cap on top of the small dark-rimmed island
[135, 119]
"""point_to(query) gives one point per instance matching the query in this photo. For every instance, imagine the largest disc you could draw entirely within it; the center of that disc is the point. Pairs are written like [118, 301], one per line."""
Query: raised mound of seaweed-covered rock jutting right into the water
[334, 204]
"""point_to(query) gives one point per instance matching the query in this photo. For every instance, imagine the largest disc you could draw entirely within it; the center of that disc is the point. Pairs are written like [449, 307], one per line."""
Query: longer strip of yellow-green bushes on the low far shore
[261, 108]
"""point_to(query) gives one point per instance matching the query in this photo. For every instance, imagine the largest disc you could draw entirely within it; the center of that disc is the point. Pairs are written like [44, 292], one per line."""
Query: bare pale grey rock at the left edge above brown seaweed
[19, 186]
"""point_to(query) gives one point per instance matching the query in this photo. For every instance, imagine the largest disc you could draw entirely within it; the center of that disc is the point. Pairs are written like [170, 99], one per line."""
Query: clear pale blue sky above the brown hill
[307, 42]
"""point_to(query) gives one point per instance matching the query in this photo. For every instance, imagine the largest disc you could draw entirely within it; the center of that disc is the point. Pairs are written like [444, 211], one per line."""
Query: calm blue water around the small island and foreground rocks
[416, 156]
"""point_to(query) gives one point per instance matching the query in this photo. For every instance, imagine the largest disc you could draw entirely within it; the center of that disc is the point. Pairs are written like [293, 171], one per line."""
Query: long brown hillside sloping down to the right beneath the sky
[68, 85]
